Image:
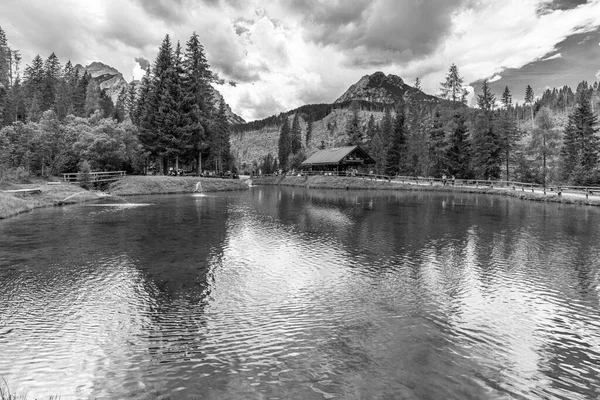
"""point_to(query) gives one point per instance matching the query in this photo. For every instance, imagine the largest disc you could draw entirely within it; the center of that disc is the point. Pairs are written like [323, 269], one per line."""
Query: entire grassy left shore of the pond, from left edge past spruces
[60, 194]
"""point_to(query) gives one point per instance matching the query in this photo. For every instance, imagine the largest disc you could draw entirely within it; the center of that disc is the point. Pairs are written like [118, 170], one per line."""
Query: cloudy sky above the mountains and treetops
[277, 55]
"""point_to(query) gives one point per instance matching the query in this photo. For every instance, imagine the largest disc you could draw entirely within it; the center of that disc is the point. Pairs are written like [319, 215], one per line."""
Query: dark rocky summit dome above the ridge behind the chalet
[382, 88]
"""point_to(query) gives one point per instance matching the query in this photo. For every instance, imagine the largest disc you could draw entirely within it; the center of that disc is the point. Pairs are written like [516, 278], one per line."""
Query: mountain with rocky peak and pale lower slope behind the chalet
[371, 95]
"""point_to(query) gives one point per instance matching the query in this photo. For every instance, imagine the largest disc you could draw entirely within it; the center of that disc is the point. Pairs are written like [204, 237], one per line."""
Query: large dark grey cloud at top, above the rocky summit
[380, 32]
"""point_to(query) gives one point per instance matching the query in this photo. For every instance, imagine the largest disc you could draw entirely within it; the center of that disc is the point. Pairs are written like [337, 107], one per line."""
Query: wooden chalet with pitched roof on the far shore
[338, 159]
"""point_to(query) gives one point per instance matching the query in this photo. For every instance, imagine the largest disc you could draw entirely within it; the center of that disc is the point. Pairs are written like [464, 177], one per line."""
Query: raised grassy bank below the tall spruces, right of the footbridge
[139, 185]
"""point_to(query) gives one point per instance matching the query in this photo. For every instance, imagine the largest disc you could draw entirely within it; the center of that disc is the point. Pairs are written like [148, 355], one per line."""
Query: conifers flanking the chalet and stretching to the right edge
[553, 138]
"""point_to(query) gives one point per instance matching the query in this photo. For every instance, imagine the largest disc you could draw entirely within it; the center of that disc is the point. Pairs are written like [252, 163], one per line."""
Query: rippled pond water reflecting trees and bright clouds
[284, 293]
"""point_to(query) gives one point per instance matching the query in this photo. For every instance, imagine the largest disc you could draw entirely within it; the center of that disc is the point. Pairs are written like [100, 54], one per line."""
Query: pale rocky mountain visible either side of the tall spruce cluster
[112, 80]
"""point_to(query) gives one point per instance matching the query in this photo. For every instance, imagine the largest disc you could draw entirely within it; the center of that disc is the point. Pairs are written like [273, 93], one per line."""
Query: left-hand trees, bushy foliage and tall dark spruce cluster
[54, 118]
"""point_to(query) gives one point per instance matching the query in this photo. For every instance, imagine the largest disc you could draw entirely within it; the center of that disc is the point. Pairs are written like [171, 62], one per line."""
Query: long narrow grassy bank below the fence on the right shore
[333, 182]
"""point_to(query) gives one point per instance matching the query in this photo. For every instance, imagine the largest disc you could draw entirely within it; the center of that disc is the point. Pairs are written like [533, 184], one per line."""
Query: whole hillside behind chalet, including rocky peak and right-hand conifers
[552, 137]
